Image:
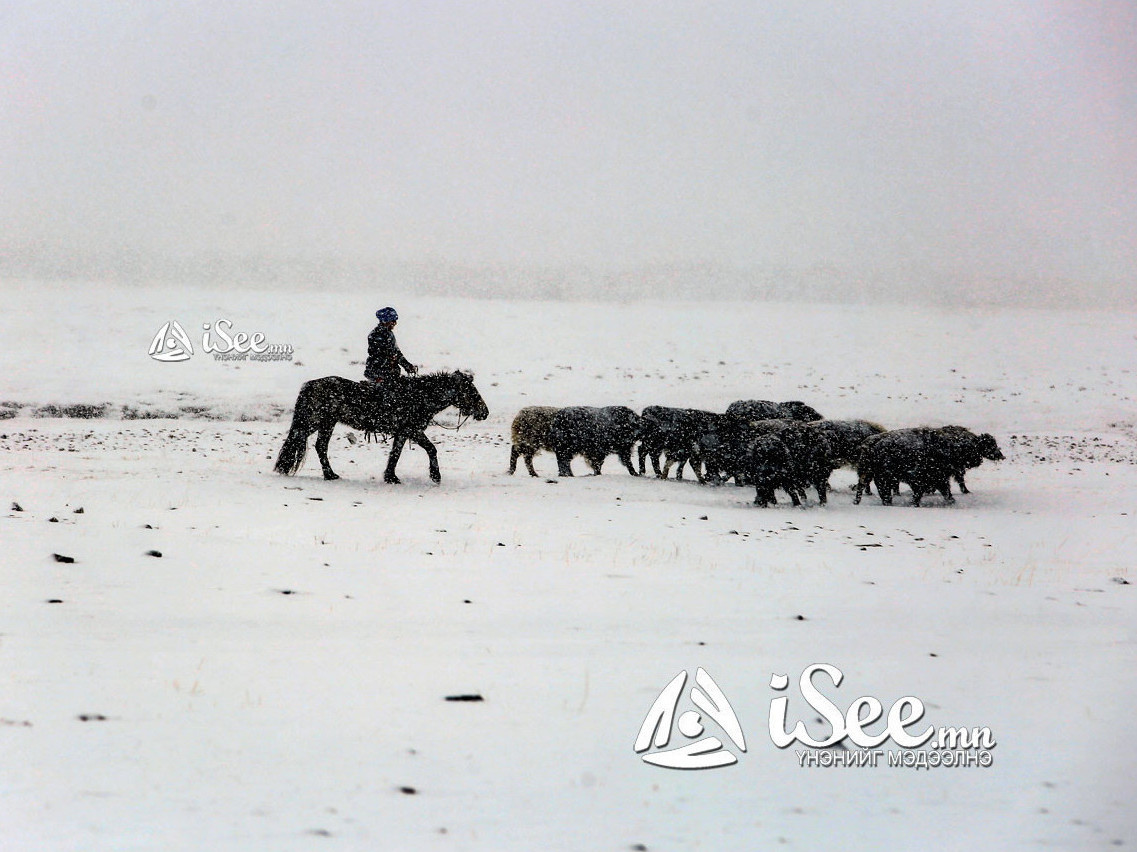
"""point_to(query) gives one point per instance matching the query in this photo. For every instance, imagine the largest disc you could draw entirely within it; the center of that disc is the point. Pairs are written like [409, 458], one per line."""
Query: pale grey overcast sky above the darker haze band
[986, 140]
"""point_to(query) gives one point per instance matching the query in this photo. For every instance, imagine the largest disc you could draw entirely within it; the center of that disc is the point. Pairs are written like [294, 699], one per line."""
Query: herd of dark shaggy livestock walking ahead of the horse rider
[771, 446]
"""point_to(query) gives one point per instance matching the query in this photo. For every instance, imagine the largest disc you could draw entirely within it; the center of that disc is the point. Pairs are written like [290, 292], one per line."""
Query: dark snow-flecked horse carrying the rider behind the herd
[401, 408]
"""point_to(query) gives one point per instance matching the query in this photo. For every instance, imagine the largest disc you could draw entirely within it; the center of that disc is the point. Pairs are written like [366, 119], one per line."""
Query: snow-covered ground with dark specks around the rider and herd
[278, 679]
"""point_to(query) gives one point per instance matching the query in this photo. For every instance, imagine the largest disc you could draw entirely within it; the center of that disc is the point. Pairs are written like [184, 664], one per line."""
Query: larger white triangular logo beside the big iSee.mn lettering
[706, 752]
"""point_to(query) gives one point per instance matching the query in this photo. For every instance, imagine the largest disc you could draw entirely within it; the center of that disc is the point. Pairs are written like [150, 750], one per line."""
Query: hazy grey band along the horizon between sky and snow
[673, 282]
